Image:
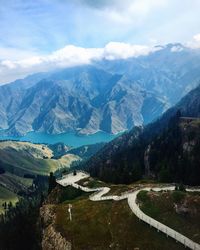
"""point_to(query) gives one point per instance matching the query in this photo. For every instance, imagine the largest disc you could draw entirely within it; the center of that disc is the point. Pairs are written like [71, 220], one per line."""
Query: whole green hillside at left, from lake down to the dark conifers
[21, 163]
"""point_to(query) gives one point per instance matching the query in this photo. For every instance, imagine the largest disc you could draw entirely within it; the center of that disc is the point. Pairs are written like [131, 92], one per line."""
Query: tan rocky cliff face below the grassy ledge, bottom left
[51, 240]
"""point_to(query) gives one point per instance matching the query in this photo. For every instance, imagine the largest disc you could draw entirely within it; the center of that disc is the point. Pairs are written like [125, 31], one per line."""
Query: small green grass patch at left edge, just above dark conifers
[6, 196]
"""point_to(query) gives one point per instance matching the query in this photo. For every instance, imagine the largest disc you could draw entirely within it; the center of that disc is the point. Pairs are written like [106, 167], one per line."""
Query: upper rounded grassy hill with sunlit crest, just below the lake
[21, 157]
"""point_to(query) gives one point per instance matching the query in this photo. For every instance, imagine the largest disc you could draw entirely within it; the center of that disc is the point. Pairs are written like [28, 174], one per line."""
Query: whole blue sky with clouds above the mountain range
[38, 35]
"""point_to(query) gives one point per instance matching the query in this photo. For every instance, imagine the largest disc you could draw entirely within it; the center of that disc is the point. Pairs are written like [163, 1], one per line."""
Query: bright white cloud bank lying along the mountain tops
[67, 57]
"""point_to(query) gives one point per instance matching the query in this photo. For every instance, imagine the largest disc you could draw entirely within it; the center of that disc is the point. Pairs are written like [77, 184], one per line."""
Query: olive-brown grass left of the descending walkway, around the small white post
[108, 225]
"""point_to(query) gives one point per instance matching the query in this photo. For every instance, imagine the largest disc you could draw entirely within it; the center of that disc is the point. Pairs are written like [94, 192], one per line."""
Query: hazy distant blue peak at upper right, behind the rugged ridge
[172, 71]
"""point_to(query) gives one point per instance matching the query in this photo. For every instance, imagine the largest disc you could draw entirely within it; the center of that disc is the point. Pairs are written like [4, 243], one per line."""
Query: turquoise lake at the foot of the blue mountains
[70, 139]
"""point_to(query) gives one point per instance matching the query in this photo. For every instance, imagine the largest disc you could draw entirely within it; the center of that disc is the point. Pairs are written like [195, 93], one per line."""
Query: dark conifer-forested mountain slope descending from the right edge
[167, 149]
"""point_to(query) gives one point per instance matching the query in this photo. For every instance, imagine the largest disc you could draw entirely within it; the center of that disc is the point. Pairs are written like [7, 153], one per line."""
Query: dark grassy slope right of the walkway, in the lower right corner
[160, 205]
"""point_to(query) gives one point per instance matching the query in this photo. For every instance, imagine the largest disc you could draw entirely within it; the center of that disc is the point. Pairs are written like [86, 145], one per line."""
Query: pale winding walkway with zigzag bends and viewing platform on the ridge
[98, 195]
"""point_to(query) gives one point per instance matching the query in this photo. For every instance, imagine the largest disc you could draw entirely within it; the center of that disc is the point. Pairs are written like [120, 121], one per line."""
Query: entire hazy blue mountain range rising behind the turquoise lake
[110, 96]
